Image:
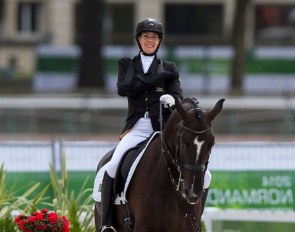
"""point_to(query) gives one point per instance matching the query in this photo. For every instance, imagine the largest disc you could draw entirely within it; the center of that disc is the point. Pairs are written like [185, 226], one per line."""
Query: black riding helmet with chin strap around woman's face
[149, 25]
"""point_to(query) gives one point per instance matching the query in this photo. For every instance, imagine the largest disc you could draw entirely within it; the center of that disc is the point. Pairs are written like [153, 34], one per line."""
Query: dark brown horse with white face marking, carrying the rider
[165, 192]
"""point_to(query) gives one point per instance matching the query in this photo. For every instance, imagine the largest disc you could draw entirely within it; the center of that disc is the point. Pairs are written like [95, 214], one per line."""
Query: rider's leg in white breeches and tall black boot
[137, 134]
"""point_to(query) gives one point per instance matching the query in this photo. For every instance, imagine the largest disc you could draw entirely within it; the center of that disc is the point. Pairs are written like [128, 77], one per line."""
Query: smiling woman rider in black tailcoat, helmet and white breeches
[144, 79]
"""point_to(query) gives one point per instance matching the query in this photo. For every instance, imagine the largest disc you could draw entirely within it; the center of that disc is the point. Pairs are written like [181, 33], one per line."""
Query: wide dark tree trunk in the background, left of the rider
[91, 69]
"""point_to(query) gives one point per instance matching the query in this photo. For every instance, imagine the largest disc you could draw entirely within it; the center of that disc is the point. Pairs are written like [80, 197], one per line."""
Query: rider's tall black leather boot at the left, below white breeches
[107, 199]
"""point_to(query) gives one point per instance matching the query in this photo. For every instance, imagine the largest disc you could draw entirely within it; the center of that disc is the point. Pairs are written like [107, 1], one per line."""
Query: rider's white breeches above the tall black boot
[139, 132]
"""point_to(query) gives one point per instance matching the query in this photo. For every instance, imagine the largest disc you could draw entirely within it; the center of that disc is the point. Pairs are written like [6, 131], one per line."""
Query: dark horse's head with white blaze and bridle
[194, 141]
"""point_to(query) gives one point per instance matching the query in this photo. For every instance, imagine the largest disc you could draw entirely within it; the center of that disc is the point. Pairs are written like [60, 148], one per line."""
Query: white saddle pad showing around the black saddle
[121, 198]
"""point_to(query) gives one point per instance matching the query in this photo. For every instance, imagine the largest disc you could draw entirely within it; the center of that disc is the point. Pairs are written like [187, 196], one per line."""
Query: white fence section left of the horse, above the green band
[36, 156]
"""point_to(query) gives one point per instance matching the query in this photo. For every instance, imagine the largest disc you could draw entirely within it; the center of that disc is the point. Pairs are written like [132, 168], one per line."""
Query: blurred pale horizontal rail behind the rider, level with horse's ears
[74, 102]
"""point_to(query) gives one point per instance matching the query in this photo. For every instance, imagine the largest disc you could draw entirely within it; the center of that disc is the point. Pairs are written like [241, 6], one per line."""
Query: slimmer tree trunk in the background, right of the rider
[238, 43]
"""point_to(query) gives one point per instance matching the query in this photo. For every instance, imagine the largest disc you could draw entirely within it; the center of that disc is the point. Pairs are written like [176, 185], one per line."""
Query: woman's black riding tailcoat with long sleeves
[145, 97]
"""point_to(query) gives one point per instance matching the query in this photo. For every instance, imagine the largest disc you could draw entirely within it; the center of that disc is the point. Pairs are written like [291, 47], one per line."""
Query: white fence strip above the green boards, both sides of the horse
[84, 155]
